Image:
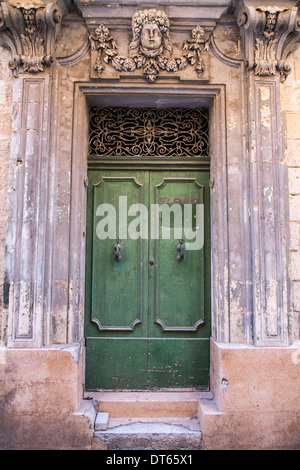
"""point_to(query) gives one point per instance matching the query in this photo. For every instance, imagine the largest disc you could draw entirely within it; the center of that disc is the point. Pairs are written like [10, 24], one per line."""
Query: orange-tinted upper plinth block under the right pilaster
[255, 379]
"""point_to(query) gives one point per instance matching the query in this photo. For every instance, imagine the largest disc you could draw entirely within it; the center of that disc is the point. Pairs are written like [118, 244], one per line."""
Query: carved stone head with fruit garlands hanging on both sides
[150, 47]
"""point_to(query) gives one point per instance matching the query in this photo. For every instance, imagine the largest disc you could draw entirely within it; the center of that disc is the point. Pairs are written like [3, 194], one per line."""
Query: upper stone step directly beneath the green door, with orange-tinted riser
[148, 404]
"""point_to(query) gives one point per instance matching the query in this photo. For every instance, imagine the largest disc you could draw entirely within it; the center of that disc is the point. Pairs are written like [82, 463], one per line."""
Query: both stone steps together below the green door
[147, 420]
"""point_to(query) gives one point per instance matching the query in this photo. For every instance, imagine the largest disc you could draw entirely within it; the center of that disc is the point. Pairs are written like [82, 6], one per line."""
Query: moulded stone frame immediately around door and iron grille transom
[90, 94]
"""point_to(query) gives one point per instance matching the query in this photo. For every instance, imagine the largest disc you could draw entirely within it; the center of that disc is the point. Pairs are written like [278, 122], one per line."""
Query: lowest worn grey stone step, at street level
[151, 434]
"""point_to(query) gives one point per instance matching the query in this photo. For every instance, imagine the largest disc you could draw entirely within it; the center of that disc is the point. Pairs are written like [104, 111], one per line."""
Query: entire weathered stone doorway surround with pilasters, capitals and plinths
[254, 363]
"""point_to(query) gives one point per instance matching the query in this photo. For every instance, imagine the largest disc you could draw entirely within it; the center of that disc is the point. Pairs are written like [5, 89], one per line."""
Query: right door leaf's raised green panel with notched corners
[178, 286]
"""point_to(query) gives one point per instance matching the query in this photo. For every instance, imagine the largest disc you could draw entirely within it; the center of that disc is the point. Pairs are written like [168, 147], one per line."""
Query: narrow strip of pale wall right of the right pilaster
[290, 102]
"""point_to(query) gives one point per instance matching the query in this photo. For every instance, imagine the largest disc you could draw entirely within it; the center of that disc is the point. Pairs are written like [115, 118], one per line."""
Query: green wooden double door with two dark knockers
[148, 314]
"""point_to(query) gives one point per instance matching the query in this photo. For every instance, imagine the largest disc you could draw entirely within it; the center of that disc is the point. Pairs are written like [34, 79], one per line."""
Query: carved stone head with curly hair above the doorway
[150, 29]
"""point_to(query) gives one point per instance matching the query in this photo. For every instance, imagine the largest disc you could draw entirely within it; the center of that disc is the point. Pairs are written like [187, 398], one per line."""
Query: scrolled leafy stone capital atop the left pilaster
[28, 29]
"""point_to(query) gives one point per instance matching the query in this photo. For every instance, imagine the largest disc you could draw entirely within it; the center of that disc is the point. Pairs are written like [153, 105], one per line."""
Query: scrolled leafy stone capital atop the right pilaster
[270, 34]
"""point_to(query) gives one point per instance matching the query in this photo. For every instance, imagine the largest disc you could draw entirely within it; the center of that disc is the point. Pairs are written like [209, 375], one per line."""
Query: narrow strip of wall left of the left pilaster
[5, 132]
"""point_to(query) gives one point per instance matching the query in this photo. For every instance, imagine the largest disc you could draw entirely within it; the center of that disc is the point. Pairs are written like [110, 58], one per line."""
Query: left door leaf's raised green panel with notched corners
[116, 300]
